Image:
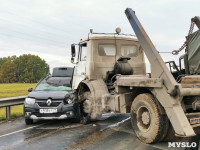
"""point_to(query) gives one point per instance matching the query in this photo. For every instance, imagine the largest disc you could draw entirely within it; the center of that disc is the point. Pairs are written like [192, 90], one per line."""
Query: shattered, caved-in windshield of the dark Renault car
[47, 86]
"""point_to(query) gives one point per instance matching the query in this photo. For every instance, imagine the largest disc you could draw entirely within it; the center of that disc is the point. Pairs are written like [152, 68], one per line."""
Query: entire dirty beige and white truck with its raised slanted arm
[110, 76]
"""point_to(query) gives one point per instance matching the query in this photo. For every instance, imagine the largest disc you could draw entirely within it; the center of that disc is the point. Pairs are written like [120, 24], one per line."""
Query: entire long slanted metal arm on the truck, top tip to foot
[169, 95]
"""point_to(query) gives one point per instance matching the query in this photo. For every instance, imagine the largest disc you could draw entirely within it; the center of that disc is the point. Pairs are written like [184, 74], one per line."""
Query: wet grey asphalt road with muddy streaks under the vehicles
[113, 133]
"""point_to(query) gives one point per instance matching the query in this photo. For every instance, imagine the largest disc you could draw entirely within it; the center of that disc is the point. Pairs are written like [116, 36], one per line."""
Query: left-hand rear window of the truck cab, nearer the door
[107, 50]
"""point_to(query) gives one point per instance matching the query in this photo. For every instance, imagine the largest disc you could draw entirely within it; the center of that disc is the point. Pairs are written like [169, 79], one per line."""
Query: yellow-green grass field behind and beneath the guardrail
[13, 90]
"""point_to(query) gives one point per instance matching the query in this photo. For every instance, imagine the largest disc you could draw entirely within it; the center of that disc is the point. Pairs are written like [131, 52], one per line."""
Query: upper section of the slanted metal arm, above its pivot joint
[159, 69]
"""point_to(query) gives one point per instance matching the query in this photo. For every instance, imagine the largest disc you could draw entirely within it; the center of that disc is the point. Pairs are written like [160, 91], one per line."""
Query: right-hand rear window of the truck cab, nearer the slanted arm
[129, 50]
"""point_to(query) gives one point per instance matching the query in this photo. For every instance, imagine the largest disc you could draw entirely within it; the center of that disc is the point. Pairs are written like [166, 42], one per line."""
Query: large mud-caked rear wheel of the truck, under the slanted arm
[148, 121]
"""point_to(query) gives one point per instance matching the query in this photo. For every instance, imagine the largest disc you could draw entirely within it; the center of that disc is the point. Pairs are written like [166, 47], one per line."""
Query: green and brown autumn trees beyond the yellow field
[26, 68]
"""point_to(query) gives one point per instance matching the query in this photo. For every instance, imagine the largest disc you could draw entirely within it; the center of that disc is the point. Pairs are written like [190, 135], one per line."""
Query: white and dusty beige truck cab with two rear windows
[97, 57]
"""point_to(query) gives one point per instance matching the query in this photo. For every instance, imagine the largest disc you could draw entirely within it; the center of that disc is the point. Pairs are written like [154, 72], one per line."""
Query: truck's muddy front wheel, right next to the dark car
[85, 108]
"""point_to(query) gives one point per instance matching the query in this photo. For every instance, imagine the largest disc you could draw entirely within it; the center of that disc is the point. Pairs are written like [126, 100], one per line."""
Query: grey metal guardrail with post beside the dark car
[11, 101]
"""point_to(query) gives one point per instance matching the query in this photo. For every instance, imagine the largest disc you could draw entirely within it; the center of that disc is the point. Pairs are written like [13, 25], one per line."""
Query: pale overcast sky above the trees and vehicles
[47, 28]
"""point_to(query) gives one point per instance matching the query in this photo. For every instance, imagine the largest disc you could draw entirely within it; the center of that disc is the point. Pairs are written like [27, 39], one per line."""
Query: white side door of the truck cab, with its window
[80, 69]
